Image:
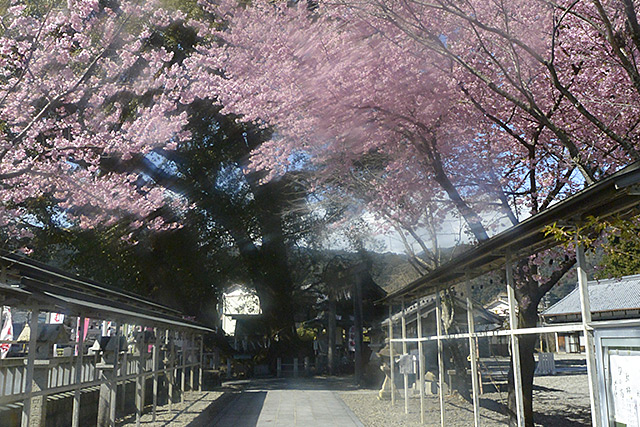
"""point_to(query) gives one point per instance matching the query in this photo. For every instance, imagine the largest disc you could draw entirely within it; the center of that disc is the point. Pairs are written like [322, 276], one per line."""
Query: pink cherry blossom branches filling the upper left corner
[82, 91]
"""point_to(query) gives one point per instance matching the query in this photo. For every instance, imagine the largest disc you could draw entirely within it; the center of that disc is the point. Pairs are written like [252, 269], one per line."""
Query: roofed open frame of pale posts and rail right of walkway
[618, 194]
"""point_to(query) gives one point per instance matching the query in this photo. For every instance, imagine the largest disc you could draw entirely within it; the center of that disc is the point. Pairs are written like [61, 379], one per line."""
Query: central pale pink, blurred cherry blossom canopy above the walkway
[351, 99]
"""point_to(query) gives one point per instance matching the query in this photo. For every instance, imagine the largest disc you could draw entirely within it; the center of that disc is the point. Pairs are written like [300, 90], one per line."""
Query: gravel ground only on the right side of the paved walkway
[559, 401]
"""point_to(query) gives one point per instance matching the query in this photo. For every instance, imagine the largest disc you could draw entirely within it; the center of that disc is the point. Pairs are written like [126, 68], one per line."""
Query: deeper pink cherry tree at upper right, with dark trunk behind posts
[558, 78]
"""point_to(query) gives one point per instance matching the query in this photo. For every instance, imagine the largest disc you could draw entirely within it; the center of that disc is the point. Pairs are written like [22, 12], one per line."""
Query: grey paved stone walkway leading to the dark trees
[288, 403]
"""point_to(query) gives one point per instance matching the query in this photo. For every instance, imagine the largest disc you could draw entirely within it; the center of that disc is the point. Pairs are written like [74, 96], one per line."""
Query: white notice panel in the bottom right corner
[625, 389]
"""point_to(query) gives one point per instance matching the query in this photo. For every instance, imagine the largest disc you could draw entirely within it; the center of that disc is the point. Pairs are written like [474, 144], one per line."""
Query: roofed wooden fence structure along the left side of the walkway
[165, 346]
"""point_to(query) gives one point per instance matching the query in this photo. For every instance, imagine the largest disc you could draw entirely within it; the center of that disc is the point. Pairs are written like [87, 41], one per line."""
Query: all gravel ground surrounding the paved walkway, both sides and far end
[559, 400]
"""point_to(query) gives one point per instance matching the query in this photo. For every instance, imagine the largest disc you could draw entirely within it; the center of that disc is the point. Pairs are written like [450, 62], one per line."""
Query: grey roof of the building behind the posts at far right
[604, 295]
